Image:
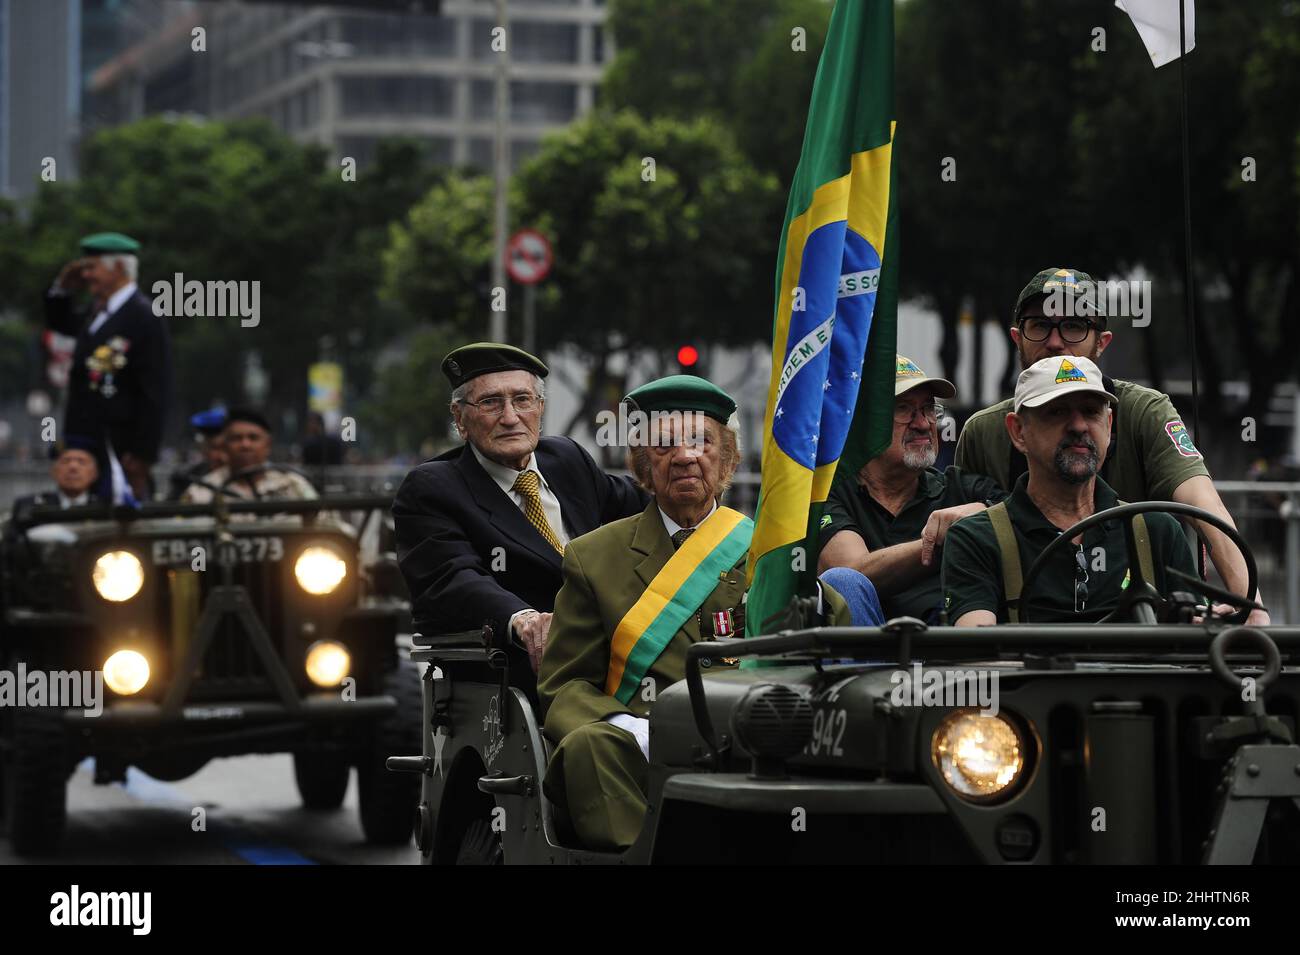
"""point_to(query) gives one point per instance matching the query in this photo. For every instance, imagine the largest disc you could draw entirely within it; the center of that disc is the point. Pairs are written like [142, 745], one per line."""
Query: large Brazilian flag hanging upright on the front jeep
[830, 403]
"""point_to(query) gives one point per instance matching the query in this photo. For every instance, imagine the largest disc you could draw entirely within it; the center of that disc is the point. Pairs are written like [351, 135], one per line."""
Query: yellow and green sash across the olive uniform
[675, 593]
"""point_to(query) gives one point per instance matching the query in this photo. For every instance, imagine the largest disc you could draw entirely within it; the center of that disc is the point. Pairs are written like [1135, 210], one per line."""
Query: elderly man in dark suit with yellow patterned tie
[482, 528]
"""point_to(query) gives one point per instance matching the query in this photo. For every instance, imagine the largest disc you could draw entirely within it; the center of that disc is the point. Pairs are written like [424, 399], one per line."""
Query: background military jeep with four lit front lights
[218, 630]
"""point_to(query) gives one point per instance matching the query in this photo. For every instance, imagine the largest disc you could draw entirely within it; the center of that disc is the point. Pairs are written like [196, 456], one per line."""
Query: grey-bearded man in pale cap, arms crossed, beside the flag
[890, 524]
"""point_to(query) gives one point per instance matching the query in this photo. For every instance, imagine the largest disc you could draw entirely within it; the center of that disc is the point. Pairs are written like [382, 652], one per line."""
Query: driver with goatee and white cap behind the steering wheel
[1061, 424]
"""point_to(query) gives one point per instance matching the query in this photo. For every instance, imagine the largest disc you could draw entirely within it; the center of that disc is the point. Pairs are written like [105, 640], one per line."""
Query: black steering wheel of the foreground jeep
[1141, 591]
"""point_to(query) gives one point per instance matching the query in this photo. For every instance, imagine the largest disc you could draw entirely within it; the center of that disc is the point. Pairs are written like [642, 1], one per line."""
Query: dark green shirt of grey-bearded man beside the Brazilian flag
[851, 507]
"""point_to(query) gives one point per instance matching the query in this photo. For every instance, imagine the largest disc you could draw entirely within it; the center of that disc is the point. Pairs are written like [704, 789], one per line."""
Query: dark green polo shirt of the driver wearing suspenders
[973, 563]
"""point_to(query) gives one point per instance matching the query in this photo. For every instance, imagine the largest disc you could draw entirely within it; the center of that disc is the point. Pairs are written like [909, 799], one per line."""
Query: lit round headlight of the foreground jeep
[980, 757]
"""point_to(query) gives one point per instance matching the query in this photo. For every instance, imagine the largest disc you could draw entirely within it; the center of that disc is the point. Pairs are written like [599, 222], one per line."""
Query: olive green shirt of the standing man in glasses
[1151, 450]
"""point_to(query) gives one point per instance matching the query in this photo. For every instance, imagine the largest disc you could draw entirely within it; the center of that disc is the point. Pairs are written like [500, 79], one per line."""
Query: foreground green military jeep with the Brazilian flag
[1117, 743]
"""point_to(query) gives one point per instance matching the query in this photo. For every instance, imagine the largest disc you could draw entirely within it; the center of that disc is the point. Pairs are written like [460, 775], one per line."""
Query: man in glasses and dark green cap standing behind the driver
[1152, 455]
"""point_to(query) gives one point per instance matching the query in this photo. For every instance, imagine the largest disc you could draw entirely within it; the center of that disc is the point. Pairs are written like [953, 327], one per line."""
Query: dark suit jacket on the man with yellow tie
[450, 515]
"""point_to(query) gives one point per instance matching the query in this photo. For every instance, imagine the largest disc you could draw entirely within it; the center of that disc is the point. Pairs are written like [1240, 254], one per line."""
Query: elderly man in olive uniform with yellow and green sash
[638, 593]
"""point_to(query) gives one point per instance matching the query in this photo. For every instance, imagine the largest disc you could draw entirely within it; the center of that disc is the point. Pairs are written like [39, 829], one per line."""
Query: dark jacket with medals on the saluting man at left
[124, 405]
